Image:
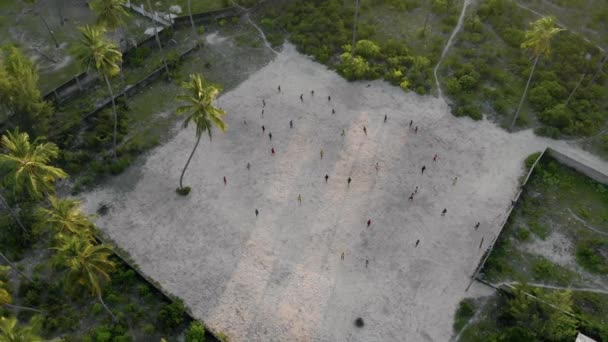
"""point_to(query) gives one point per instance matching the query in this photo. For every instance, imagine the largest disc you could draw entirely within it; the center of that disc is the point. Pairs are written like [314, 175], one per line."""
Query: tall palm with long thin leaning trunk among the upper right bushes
[538, 43]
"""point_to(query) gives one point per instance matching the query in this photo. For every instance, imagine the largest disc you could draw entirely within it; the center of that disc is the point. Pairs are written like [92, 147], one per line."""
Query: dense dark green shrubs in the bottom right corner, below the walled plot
[545, 316]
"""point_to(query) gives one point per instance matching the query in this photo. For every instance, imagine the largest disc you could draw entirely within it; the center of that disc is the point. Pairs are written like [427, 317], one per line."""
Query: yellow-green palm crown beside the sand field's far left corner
[65, 217]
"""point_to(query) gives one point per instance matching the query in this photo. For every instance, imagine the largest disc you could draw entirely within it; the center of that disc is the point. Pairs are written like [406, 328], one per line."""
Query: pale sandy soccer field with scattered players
[280, 276]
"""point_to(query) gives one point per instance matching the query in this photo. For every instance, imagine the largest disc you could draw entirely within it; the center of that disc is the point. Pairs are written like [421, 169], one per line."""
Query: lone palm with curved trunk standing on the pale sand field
[199, 97]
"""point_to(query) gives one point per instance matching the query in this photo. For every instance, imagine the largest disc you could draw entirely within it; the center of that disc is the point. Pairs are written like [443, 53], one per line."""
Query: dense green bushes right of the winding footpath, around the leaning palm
[487, 71]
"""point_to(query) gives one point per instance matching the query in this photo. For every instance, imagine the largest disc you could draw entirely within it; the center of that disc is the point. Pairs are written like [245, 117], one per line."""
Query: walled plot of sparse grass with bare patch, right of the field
[552, 193]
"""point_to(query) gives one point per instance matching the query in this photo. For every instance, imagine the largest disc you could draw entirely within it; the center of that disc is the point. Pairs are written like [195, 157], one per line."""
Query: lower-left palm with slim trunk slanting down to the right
[88, 264]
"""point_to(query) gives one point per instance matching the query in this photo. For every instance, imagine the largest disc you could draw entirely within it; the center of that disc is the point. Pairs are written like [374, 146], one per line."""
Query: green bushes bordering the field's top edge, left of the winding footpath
[324, 30]
